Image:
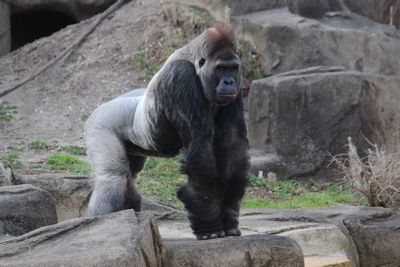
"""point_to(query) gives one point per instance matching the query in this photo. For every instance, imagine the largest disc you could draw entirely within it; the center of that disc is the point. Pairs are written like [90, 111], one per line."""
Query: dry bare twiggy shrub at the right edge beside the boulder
[377, 176]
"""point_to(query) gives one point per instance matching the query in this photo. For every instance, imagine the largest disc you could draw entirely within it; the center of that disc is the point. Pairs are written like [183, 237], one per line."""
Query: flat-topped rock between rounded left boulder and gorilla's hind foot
[71, 193]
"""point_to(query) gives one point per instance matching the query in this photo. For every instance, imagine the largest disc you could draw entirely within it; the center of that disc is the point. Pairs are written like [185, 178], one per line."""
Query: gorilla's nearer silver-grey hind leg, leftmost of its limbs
[110, 167]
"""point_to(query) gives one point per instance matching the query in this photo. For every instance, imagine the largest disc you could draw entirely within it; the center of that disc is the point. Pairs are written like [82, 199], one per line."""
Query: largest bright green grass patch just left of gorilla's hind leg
[68, 163]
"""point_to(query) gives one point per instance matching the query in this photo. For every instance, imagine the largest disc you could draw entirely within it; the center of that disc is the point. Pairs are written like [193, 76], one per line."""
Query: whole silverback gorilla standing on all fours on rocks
[193, 105]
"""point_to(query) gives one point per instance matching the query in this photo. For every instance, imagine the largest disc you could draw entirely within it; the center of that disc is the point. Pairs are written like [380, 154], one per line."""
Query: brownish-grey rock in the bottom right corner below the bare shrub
[377, 240]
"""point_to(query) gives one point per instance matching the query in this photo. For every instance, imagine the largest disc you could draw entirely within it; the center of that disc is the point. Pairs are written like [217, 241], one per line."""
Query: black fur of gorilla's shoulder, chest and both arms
[214, 148]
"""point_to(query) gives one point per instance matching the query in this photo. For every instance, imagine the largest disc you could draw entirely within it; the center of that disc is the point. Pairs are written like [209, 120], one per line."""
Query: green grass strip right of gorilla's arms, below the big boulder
[293, 195]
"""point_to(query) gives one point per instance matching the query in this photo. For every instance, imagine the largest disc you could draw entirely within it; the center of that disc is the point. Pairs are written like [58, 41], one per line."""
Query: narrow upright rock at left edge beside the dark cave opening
[5, 32]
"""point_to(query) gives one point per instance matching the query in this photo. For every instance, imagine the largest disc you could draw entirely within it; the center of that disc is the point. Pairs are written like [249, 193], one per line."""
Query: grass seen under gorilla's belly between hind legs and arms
[160, 179]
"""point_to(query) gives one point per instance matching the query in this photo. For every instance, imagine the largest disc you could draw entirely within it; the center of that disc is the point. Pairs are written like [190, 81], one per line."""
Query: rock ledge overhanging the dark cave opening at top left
[78, 9]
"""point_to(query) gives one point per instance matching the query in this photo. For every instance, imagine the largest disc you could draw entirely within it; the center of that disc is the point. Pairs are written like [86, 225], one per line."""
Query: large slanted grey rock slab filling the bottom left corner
[118, 239]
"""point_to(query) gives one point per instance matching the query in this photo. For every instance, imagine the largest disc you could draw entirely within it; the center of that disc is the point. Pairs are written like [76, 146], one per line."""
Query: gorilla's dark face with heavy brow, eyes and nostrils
[220, 78]
